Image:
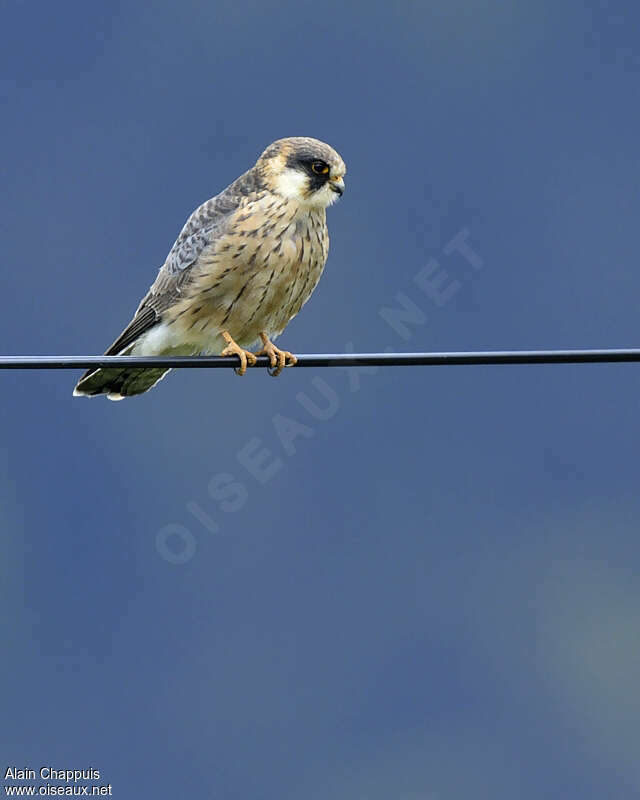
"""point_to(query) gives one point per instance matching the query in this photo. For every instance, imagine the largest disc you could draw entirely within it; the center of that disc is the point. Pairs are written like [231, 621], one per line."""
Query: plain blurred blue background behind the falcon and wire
[422, 583]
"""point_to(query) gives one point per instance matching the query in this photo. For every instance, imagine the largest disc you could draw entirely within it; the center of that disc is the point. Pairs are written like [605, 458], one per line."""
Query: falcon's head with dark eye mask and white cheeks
[304, 170]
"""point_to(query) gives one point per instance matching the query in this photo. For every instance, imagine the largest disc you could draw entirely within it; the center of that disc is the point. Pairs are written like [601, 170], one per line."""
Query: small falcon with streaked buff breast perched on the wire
[244, 264]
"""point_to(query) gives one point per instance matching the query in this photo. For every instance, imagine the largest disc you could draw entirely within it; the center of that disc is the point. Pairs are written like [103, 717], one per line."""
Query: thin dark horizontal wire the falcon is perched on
[333, 359]
